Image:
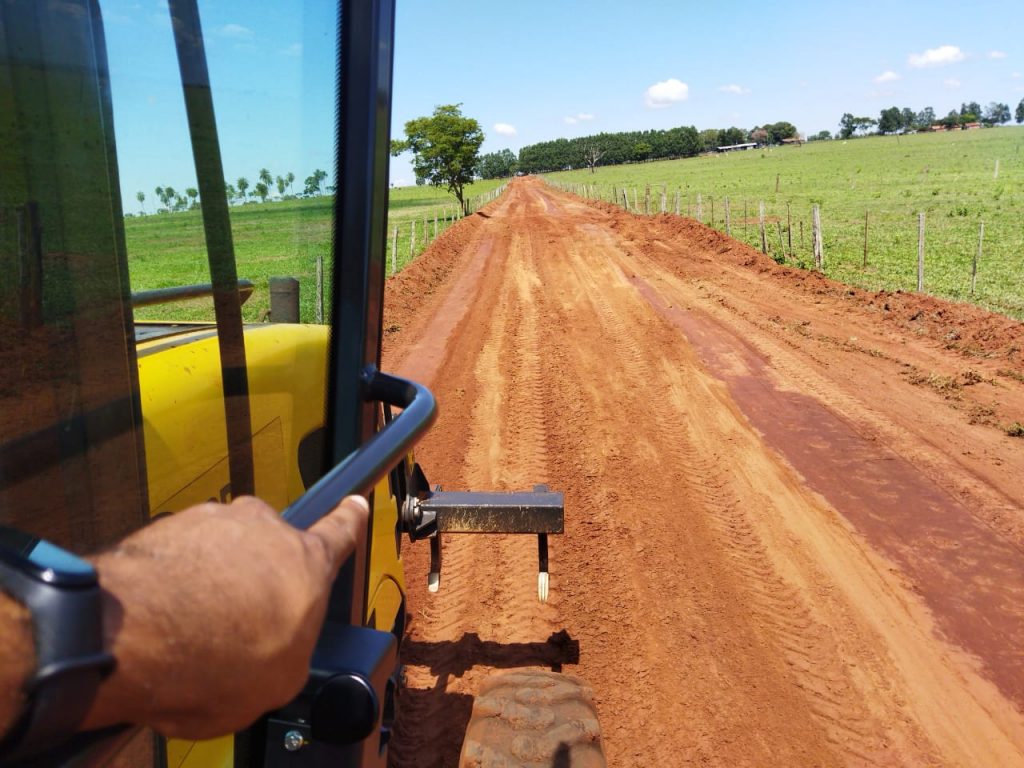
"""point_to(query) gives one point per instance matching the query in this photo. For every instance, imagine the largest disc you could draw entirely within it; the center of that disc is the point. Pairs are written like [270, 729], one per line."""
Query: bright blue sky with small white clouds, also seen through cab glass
[535, 71]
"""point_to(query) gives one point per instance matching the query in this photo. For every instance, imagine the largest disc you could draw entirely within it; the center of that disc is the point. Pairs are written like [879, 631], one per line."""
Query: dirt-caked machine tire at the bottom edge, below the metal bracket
[533, 718]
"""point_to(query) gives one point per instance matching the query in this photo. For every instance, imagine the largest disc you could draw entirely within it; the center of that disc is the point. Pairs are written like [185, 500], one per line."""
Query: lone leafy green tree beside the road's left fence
[445, 147]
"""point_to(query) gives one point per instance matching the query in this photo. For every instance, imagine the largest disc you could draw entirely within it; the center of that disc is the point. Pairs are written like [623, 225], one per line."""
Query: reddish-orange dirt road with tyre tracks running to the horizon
[795, 518]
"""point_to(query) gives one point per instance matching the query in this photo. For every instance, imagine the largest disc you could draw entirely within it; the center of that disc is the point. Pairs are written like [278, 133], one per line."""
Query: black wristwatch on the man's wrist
[62, 593]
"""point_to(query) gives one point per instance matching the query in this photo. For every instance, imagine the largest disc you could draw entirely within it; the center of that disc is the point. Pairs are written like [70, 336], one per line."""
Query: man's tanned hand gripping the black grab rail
[212, 615]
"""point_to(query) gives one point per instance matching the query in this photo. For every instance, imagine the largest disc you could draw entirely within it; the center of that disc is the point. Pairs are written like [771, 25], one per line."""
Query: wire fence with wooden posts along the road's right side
[963, 259]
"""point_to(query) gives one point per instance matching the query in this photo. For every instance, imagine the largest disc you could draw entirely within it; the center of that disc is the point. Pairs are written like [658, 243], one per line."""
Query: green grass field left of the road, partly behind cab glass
[280, 239]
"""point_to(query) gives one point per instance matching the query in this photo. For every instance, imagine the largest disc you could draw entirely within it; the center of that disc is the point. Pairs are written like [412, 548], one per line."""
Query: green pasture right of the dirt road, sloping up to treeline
[950, 178]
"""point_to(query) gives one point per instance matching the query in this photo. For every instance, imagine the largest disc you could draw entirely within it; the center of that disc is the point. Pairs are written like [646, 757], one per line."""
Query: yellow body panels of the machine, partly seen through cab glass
[187, 450]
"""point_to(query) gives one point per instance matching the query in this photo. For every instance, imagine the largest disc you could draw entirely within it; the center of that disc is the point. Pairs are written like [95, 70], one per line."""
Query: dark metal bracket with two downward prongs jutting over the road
[428, 514]
